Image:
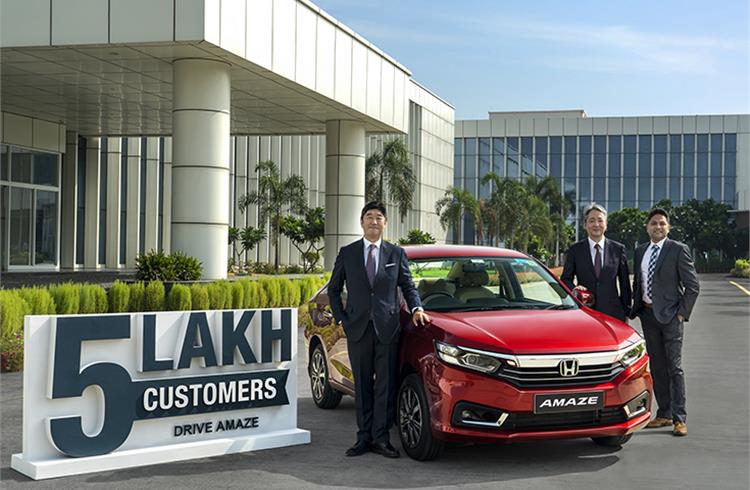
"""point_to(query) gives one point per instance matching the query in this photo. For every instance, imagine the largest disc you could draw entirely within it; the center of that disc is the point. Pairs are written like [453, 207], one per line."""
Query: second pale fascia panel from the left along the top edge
[80, 22]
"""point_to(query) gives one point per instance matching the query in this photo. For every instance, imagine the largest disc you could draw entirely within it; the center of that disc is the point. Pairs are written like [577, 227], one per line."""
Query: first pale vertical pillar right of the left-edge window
[91, 225]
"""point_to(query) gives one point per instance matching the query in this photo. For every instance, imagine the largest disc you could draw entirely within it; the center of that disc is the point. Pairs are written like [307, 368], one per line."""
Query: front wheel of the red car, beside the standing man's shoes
[414, 423]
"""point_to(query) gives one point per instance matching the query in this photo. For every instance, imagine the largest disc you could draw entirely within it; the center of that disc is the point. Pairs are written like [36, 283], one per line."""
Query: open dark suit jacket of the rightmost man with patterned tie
[675, 287]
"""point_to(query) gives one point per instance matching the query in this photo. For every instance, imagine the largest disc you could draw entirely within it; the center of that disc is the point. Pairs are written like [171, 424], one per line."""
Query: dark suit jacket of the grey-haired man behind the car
[607, 299]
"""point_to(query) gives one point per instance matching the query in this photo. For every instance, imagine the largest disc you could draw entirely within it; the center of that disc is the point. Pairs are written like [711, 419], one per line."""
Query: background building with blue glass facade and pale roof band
[617, 162]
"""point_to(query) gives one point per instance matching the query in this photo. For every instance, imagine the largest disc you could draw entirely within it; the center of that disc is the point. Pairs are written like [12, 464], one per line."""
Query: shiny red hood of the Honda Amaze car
[534, 331]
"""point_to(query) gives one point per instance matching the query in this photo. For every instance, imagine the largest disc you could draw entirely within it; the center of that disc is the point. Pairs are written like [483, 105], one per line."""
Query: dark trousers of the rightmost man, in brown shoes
[664, 346]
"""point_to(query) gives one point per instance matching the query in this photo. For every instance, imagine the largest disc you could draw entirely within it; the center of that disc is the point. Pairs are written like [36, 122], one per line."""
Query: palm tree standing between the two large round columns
[273, 196]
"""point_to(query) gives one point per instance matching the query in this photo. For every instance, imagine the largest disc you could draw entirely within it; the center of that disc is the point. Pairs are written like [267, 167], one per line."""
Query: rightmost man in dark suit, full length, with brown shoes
[665, 288]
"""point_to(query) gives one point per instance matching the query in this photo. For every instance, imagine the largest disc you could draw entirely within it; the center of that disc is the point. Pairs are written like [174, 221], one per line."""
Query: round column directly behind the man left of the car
[345, 185]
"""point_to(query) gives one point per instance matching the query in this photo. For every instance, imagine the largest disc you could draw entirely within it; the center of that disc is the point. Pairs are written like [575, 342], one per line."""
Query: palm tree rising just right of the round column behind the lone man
[391, 171]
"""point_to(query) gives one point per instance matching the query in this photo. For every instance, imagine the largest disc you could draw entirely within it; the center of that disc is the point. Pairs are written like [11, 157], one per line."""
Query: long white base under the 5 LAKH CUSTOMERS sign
[40, 469]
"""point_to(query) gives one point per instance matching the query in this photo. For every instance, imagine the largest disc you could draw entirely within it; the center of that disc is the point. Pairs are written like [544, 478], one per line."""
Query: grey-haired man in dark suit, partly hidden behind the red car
[599, 265]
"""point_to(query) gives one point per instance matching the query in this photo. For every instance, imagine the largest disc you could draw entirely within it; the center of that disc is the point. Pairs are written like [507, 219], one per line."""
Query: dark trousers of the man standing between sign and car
[375, 368]
